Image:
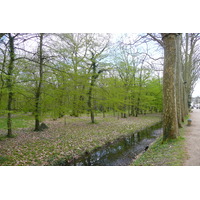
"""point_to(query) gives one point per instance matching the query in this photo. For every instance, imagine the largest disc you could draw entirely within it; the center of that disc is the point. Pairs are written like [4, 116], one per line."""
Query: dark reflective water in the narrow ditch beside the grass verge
[122, 151]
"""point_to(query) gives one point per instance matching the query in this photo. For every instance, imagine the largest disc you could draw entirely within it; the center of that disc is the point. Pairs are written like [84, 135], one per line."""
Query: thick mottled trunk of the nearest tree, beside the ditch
[170, 124]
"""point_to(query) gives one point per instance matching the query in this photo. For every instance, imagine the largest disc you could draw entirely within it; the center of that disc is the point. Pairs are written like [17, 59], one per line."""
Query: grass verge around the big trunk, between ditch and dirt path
[169, 153]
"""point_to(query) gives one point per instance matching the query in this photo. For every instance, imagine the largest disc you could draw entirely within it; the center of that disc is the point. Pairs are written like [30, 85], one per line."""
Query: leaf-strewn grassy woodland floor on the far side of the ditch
[63, 142]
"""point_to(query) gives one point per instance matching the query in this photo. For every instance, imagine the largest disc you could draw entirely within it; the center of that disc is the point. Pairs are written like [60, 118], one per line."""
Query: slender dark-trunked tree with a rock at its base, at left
[34, 61]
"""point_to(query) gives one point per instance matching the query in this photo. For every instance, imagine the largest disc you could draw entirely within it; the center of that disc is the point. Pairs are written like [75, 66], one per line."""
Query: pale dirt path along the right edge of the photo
[193, 139]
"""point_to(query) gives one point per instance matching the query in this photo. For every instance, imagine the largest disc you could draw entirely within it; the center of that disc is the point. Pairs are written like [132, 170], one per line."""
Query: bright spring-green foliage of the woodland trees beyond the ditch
[125, 83]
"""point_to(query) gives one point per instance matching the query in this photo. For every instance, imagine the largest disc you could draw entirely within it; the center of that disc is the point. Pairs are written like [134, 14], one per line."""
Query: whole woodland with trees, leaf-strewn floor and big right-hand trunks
[57, 90]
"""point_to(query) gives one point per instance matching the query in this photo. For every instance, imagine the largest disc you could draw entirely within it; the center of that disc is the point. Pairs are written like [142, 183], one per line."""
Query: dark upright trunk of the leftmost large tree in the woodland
[10, 85]
